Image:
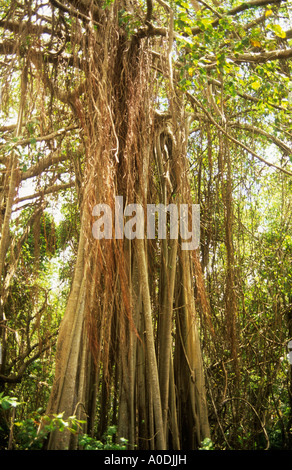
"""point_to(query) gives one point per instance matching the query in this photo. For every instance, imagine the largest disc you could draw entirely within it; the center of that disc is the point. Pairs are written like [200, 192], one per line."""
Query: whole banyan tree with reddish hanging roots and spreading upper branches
[103, 85]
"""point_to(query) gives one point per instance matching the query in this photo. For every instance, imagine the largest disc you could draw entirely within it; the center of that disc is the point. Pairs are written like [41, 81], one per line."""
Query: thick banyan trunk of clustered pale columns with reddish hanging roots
[113, 314]
